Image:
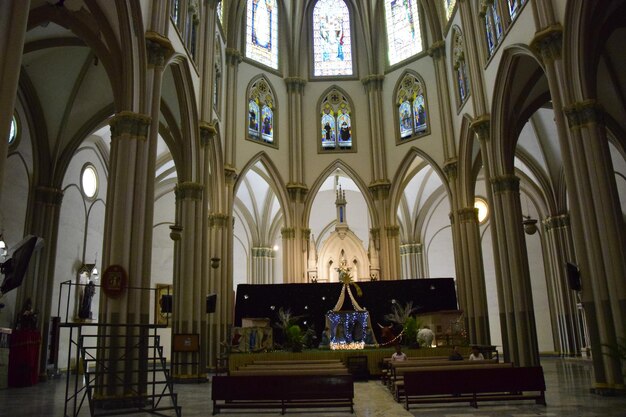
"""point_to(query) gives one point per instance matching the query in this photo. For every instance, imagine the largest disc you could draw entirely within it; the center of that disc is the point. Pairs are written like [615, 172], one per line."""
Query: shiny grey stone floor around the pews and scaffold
[567, 394]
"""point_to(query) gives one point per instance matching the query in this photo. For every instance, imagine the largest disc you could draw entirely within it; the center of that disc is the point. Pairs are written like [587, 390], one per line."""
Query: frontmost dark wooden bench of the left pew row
[282, 392]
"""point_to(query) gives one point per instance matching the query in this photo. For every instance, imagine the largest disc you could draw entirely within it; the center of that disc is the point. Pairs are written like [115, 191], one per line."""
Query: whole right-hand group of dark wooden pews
[436, 380]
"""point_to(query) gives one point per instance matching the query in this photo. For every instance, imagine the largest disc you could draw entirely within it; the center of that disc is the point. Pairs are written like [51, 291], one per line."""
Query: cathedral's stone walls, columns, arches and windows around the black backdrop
[185, 147]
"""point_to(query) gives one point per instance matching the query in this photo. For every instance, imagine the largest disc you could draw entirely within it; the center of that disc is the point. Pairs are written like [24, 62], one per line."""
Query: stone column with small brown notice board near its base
[190, 287]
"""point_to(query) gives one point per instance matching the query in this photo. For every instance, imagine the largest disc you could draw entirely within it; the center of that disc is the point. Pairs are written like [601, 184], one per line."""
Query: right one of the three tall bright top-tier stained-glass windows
[404, 37]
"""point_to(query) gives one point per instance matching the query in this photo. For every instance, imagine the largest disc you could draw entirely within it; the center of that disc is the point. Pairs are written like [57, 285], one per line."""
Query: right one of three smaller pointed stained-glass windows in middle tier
[412, 109]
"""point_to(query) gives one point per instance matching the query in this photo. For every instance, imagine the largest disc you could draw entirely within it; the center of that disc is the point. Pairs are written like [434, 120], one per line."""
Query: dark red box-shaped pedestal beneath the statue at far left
[24, 358]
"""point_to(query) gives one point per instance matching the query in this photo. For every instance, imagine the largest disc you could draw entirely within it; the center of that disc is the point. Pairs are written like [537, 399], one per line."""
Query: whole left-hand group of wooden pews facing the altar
[284, 385]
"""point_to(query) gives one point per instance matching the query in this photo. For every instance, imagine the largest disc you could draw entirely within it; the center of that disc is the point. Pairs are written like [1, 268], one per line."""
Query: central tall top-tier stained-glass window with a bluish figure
[332, 40]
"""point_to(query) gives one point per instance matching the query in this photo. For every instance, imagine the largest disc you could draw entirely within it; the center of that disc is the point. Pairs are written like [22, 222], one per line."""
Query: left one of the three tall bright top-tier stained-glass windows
[262, 32]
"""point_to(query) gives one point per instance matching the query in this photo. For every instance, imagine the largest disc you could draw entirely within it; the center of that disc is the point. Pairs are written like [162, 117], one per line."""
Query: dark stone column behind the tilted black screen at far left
[38, 285]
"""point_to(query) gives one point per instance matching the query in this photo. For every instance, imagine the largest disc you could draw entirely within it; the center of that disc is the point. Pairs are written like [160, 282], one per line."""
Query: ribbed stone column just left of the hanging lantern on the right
[520, 330]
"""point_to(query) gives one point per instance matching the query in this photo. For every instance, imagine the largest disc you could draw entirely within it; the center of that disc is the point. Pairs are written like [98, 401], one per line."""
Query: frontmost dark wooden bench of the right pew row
[473, 384]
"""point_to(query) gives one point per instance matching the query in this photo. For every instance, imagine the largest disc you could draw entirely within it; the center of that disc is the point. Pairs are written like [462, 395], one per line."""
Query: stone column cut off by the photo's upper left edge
[13, 25]
